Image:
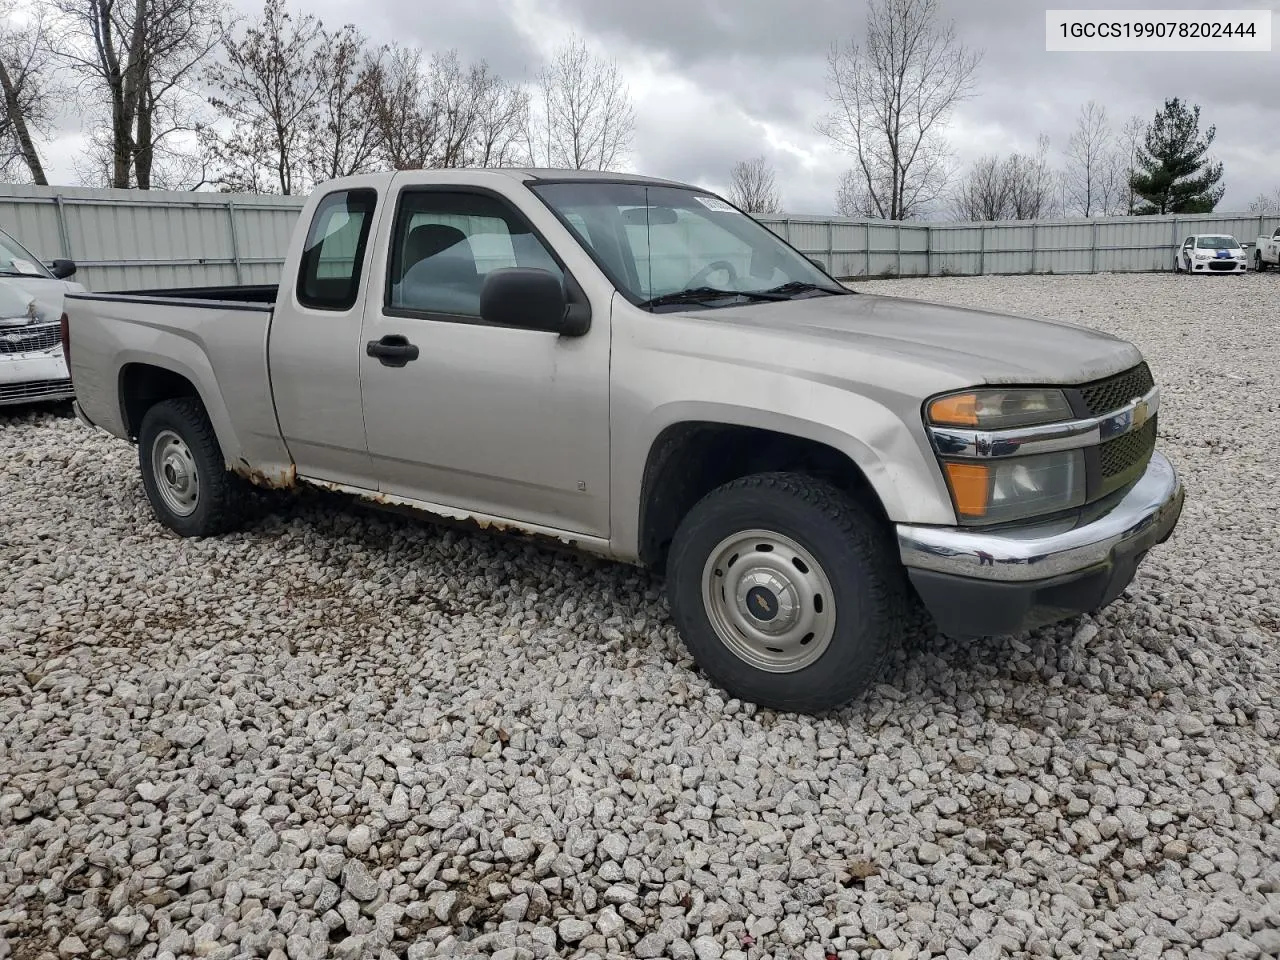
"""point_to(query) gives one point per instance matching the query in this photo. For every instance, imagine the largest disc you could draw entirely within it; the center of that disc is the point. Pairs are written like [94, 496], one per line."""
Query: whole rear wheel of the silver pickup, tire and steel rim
[184, 472]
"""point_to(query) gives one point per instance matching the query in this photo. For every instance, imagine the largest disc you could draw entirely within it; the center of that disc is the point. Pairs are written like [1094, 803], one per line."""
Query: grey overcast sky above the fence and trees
[717, 81]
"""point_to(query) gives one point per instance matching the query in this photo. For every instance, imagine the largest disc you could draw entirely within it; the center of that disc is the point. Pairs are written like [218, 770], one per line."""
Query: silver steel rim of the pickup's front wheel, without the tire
[769, 601]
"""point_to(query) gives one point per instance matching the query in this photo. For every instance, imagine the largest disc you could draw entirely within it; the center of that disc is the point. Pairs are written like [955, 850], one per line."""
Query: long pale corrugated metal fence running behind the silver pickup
[124, 240]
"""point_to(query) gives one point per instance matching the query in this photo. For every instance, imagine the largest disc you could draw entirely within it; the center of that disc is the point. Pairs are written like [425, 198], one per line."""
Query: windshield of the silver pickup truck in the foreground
[670, 243]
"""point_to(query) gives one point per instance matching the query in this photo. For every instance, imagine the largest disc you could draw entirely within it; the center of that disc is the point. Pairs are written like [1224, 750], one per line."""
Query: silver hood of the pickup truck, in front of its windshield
[977, 346]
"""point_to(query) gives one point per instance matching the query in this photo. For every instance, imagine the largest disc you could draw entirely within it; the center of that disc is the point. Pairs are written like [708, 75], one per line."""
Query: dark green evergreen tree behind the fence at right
[1176, 176]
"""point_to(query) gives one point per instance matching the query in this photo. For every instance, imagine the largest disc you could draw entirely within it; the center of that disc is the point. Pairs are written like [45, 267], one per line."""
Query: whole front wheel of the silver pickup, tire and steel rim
[788, 593]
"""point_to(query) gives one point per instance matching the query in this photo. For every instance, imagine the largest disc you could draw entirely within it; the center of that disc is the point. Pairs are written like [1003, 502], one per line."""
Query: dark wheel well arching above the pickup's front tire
[691, 460]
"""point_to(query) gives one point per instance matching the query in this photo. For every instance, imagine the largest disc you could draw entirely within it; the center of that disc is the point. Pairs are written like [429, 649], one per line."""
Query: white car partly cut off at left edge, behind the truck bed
[33, 367]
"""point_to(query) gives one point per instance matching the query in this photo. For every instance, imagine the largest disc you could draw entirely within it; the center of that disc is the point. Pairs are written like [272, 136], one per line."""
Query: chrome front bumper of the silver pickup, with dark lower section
[980, 583]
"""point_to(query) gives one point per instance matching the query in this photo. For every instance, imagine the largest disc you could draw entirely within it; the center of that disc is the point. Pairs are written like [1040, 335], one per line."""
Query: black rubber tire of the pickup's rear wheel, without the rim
[221, 496]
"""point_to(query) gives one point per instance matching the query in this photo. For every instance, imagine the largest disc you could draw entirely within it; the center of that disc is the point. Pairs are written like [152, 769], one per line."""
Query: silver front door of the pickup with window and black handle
[500, 420]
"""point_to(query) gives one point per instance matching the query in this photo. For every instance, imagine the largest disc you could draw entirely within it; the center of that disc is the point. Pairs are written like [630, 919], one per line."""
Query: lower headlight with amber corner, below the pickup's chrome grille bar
[1014, 490]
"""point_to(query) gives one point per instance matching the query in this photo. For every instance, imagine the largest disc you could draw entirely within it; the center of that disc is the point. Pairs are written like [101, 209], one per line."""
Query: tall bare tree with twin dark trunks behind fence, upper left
[140, 60]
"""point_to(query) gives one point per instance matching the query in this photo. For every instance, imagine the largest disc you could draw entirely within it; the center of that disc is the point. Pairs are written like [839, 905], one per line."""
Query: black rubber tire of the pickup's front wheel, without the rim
[854, 554]
